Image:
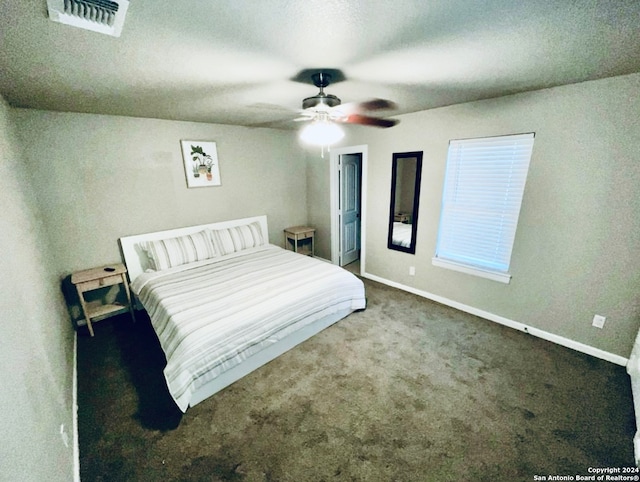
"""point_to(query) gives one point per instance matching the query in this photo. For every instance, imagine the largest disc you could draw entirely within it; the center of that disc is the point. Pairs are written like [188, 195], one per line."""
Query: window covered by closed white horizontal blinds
[483, 188]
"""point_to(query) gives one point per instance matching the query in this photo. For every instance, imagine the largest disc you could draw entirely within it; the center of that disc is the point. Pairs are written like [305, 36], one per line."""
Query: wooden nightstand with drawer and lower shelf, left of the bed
[101, 277]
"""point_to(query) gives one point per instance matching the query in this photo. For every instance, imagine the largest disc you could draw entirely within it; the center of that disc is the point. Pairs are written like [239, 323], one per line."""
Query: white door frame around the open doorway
[334, 179]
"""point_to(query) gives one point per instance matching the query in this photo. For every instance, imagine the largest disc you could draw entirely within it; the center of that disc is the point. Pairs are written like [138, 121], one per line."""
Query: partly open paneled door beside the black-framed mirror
[349, 174]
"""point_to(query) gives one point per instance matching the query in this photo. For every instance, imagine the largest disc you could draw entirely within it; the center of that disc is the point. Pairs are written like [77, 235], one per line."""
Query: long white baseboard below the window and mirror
[545, 335]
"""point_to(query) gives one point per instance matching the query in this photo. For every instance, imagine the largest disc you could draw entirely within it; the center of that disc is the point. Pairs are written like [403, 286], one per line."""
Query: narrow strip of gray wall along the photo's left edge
[36, 338]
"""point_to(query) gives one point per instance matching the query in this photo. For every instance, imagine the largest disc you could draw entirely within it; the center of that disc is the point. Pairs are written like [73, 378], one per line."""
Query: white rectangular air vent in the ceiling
[101, 16]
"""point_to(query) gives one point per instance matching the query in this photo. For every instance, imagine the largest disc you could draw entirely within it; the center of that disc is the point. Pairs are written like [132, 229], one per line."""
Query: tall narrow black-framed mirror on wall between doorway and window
[405, 195]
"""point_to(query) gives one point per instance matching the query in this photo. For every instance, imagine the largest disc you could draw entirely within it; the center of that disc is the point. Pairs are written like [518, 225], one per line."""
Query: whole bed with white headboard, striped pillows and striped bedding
[223, 301]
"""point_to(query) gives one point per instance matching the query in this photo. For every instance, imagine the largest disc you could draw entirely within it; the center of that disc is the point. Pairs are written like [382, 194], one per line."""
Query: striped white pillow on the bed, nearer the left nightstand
[166, 253]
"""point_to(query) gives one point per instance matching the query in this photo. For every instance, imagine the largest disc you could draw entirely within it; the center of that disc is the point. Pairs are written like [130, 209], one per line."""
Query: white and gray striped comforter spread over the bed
[211, 315]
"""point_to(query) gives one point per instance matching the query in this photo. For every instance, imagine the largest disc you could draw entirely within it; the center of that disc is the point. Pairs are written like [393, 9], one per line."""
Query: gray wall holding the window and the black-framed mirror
[577, 249]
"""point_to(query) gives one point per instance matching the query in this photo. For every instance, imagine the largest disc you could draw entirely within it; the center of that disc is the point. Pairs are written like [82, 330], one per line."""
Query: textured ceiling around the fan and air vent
[236, 61]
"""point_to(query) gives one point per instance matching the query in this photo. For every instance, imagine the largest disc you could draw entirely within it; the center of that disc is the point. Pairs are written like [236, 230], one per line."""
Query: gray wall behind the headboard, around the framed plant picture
[98, 178]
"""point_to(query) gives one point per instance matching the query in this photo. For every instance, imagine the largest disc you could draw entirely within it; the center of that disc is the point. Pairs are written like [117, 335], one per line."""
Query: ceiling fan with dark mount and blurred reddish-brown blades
[327, 108]
